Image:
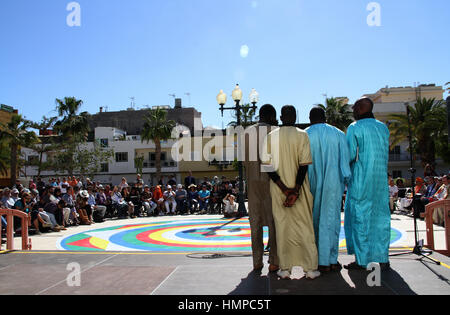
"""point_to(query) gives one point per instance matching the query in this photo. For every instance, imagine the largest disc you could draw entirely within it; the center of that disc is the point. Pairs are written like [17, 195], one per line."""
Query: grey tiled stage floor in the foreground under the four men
[131, 273]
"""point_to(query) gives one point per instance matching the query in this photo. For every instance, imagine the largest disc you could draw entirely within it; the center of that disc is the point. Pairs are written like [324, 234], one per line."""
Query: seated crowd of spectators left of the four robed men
[57, 204]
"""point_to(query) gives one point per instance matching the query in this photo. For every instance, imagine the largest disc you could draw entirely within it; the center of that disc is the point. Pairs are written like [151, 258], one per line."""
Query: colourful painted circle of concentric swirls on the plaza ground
[191, 235]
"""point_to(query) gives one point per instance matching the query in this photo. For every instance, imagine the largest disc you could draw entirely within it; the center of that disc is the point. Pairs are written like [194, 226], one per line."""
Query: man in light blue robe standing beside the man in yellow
[328, 175]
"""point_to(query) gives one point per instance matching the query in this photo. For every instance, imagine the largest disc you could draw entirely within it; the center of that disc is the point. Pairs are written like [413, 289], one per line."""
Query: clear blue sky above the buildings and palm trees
[298, 51]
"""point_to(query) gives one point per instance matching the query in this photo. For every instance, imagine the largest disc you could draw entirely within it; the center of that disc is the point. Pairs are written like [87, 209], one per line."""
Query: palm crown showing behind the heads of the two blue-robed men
[338, 113]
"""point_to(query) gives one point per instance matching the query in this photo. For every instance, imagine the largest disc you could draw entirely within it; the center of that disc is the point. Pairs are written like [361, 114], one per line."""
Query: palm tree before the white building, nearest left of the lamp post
[157, 128]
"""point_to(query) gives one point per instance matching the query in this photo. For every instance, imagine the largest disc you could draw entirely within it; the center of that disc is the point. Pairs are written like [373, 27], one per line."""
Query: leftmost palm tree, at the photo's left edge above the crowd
[17, 134]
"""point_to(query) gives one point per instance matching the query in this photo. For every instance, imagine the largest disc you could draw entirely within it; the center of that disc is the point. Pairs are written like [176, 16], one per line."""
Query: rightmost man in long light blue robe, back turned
[367, 212]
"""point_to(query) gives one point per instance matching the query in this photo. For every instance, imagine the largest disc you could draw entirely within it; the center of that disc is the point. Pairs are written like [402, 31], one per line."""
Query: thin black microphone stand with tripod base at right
[418, 247]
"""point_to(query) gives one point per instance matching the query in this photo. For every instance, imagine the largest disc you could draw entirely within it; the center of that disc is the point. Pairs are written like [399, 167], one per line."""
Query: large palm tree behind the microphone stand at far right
[428, 121]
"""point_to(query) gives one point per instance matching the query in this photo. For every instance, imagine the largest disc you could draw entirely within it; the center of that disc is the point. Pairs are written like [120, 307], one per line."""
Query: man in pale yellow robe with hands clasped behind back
[288, 153]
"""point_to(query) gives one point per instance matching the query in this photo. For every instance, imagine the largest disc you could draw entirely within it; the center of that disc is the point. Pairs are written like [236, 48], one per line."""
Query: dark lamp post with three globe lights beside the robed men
[237, 97]
